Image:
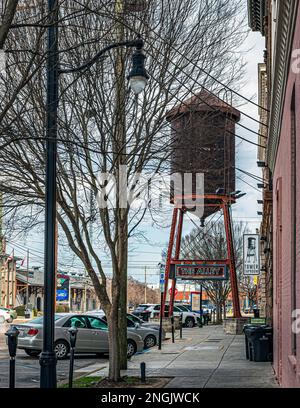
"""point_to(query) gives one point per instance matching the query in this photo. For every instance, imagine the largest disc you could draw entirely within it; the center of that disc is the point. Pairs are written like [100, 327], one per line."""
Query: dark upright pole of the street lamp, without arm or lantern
[48, 357]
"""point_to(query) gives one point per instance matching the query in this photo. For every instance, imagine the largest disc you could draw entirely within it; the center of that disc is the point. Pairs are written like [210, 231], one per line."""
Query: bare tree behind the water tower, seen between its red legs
[209, 243]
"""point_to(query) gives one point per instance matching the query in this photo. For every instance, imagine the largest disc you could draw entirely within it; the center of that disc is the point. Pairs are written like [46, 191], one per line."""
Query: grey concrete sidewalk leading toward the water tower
[204, 358]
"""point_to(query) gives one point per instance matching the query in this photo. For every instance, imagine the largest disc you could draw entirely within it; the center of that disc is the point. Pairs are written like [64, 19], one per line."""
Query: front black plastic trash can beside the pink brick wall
[260, 343]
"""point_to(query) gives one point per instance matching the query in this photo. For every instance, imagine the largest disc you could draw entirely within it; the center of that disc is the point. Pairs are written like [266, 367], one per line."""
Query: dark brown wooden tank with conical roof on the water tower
[202, 132]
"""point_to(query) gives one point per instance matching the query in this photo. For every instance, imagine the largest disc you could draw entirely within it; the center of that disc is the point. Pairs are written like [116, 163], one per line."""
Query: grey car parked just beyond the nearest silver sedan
[149, 334]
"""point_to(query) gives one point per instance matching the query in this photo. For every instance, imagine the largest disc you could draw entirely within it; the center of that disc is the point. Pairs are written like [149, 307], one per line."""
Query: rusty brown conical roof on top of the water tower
[203, 101]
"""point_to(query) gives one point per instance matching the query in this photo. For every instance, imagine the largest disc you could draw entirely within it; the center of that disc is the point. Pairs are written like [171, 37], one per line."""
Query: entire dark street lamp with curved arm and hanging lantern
[138, 79]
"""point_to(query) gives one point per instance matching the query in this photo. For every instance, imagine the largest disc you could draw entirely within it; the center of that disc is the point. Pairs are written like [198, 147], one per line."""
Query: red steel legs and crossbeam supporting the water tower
[224, 203]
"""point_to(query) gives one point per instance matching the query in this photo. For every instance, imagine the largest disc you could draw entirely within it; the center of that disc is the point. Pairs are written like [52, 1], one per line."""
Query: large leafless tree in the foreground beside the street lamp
[102, 126]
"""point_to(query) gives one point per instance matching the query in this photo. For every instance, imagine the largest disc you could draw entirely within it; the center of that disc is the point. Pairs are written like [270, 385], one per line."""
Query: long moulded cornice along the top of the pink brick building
[286, 21]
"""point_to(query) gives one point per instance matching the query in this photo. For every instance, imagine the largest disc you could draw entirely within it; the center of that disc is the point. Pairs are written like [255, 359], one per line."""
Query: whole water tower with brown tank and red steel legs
[203, 142]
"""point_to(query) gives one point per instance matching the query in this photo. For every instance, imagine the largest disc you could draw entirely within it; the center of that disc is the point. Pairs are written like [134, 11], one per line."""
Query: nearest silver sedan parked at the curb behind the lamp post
[92, 336]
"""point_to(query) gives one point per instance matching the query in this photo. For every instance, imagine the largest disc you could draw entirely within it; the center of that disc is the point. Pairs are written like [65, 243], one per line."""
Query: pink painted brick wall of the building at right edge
[286, 365]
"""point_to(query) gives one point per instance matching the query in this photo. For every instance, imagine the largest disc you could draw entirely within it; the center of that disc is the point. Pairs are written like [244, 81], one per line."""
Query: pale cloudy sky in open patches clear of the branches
[146, 253]
